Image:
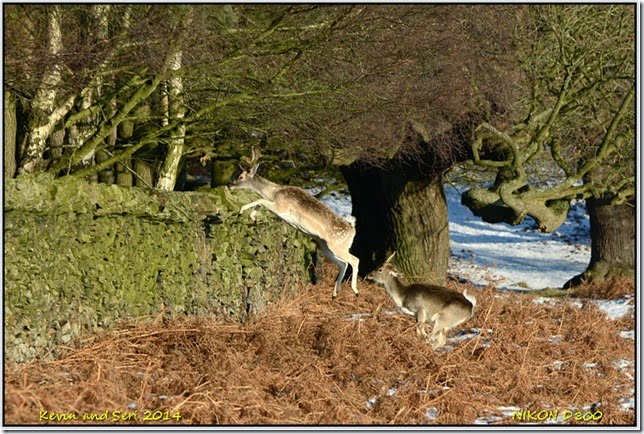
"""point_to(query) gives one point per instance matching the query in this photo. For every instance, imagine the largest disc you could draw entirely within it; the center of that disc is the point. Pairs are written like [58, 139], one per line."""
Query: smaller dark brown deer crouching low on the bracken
[445, 307]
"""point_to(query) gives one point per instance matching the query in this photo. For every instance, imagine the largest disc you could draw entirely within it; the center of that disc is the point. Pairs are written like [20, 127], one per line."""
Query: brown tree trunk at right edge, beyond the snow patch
[612, 233]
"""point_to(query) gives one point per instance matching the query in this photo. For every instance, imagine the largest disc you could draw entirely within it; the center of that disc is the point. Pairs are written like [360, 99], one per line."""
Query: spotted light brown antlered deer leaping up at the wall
[295, 206]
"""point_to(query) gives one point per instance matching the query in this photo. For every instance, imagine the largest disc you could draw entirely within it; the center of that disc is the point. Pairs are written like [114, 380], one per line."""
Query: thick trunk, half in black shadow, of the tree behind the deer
[400, 208]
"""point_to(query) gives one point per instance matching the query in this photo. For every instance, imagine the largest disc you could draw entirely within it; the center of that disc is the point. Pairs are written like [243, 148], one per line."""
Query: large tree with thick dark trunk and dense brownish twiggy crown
[425, 75]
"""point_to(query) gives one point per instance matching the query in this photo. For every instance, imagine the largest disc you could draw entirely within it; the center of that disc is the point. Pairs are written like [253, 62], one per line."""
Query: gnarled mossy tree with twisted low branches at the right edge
[575, 123]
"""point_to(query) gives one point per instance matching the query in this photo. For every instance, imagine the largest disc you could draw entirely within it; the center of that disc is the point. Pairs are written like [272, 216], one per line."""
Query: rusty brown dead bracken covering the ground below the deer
[352, 361]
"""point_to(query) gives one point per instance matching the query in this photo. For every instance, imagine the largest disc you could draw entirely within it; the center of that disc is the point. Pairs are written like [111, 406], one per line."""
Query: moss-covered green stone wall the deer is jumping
[81, 257]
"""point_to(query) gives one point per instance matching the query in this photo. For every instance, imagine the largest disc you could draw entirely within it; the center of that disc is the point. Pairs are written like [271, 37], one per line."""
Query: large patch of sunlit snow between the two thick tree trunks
[515, 257]
